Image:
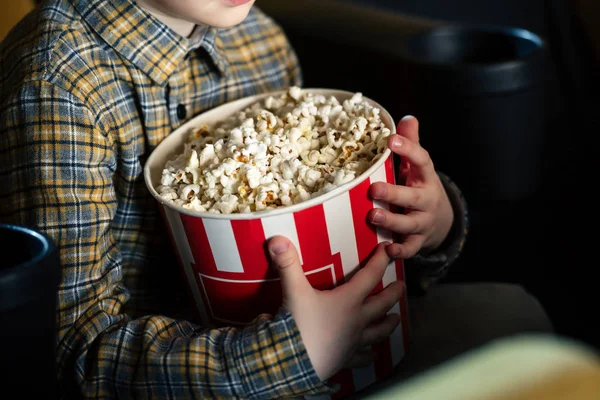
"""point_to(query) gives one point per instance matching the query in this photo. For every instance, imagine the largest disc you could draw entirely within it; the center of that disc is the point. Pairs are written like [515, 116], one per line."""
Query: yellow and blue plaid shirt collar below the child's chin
[145, 41]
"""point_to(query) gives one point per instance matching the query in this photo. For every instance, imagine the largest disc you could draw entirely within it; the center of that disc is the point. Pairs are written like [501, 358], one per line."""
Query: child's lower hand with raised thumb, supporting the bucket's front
[337, 325]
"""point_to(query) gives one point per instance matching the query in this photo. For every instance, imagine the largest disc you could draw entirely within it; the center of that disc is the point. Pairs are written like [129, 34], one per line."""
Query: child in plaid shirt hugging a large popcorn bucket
[89, 88]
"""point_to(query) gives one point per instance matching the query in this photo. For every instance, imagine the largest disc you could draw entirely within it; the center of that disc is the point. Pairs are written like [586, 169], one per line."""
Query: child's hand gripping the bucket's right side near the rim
[428, 214]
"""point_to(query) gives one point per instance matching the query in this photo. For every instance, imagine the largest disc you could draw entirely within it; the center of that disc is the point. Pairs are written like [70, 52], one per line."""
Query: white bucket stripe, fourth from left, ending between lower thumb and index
[340, 228]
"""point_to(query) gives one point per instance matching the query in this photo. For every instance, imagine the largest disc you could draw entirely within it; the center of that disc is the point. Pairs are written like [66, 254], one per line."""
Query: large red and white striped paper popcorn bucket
[224, 259]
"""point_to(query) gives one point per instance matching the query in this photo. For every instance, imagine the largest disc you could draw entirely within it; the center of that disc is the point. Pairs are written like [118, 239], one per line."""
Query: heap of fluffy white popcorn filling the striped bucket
[282, 151]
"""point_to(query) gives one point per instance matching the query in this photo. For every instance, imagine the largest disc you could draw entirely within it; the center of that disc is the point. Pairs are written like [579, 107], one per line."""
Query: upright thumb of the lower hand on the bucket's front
[287, 263]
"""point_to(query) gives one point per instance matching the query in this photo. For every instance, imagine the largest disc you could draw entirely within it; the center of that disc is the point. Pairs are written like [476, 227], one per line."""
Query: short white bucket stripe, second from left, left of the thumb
[223, 245]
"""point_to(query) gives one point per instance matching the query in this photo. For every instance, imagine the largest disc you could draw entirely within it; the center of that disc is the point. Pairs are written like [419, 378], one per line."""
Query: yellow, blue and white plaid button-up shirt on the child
[87, 89]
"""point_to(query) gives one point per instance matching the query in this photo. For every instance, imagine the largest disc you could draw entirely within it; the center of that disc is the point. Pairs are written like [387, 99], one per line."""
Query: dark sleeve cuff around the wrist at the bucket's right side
[422, 271]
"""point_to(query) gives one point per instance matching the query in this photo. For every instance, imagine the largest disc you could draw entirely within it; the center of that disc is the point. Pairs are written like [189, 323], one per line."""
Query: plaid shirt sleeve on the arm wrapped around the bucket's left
[57, 170]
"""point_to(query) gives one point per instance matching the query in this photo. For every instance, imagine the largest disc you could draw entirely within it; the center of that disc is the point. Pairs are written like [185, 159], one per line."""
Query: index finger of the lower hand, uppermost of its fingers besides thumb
[365, 280]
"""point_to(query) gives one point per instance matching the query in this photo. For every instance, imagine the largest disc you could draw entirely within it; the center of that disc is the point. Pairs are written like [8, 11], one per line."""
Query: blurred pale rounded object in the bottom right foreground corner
[526, 367]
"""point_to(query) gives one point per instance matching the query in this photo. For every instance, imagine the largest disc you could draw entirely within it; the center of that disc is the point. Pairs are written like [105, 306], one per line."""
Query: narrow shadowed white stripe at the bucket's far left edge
[185, 252]
